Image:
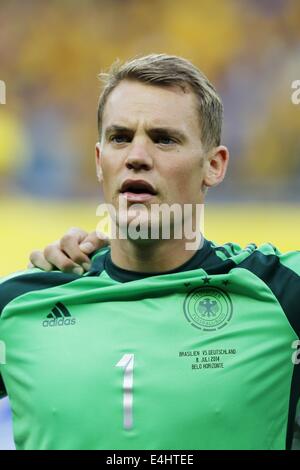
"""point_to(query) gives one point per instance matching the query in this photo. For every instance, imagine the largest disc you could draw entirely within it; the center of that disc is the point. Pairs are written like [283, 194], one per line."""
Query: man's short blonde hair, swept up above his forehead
[167, 70]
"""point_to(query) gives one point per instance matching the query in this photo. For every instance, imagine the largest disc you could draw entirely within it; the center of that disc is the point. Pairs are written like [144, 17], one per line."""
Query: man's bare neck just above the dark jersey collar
[153, 255]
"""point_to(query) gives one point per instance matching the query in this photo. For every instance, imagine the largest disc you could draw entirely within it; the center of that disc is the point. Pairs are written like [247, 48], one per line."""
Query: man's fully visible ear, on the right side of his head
[216, 166]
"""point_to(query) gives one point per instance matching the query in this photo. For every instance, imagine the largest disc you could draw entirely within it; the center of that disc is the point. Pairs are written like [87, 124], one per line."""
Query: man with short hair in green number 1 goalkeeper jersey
[157, 346]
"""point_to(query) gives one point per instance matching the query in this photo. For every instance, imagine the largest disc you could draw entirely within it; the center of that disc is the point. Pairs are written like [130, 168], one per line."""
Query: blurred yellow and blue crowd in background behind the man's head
[52, 52]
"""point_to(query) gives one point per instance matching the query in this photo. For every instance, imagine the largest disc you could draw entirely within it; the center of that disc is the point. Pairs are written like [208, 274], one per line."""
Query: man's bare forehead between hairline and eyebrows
[132, 102]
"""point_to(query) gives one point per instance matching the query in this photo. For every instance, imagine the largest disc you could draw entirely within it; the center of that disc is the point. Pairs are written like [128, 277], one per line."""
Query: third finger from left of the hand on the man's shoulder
[69, 244]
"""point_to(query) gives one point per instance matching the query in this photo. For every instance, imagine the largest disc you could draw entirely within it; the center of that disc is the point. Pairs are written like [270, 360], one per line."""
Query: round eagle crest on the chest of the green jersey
[208, 308]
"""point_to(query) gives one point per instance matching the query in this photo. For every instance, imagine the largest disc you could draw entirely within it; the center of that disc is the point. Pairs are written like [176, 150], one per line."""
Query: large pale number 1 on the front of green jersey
[127, 362]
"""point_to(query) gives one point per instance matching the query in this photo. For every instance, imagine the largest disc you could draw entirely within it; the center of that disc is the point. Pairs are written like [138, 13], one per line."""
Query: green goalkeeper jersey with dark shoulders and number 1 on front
[201, 357]
